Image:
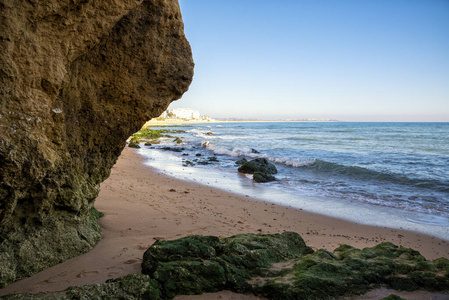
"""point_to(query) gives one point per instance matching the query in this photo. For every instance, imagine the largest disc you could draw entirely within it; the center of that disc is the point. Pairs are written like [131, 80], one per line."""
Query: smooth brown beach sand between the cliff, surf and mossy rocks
[142, 206]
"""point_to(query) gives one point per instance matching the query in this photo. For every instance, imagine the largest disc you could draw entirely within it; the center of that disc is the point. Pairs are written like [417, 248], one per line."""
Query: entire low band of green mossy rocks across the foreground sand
[275, 266]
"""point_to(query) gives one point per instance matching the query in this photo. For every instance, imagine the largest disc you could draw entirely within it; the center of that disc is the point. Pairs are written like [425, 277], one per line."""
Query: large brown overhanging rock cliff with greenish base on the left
[77, 77]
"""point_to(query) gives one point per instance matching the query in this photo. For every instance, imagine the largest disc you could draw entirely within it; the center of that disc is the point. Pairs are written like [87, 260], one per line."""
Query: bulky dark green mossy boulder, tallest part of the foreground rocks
[199, 264]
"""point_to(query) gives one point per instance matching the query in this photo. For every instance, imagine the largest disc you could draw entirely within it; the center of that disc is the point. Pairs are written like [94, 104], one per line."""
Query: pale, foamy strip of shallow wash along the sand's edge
[352, 211]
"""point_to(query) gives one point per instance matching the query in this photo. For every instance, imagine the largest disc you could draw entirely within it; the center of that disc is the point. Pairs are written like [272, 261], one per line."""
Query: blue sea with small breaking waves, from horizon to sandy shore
[384, 174]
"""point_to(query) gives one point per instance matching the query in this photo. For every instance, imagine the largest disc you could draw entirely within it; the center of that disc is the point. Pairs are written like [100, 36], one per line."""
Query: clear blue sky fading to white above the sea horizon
[383, 60]
